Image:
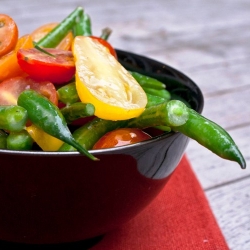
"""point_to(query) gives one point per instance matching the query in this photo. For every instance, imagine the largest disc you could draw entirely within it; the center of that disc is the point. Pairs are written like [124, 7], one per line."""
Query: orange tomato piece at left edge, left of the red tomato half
[9, 66]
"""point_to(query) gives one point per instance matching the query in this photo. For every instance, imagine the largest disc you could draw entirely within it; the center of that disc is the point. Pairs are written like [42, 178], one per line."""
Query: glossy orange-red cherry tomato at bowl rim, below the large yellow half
[121, 137]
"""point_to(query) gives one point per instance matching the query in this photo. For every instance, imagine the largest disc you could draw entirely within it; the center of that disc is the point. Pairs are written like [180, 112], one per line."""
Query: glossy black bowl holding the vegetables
[54, 197]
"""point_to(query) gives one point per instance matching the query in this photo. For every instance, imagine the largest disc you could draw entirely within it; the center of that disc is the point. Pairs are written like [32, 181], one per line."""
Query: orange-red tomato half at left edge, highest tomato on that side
[8, 34]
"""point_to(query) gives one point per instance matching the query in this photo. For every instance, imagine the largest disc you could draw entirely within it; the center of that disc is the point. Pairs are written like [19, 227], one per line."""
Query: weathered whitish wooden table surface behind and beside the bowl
[207, 40]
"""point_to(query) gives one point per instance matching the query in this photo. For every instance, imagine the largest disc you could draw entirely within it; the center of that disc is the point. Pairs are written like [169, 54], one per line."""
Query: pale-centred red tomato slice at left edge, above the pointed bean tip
[10, 89]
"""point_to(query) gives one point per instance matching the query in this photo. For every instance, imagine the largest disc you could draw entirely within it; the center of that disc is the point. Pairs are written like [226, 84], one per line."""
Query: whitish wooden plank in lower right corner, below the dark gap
[231, 208]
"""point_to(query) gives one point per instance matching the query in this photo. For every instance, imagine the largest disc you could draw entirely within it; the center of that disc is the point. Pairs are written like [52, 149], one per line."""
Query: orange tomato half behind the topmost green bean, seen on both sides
[40, 32]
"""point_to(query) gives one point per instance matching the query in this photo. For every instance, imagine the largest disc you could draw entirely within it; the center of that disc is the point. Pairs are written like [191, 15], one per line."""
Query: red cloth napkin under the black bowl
[179, 218]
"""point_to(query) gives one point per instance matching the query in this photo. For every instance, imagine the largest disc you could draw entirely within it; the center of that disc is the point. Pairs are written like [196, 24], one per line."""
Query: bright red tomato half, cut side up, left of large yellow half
[58, 69]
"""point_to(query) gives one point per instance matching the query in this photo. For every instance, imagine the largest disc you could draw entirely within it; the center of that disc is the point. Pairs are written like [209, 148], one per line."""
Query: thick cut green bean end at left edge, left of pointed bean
[13, 118]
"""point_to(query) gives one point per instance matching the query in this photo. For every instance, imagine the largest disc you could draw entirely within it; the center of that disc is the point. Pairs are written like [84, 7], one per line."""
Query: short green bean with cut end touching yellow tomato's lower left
[77, 110]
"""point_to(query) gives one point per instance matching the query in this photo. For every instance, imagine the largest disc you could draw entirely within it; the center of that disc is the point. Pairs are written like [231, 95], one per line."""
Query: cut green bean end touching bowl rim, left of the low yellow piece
[19, 140]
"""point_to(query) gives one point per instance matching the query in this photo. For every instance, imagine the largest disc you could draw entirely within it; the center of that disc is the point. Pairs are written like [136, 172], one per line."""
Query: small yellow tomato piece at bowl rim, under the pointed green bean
[45, 141]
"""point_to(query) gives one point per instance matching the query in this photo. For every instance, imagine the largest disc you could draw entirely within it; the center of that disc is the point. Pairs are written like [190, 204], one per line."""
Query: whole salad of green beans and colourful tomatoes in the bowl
[61, 74]
